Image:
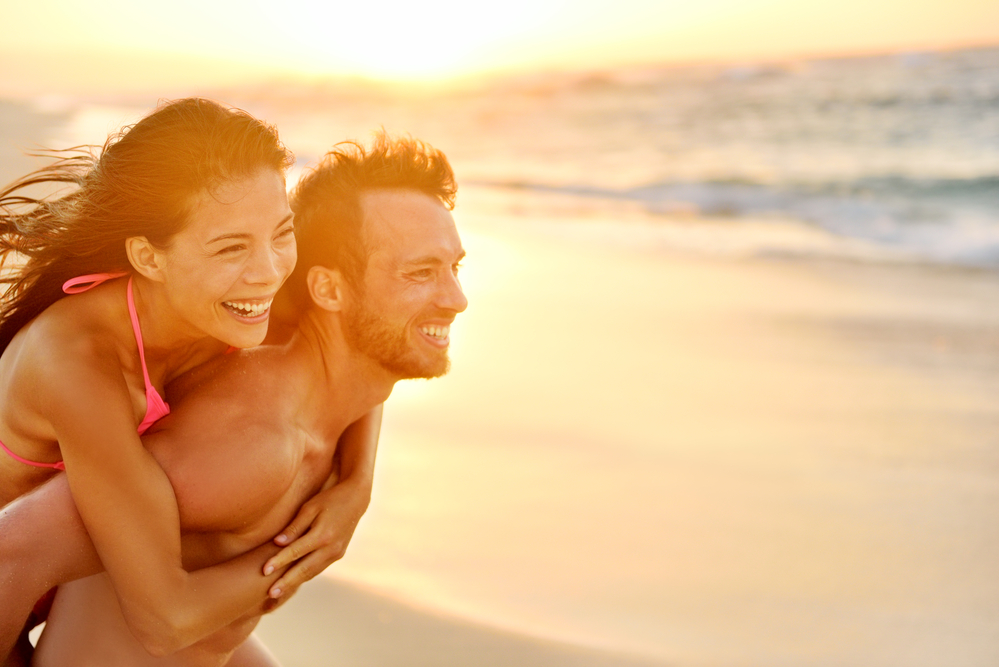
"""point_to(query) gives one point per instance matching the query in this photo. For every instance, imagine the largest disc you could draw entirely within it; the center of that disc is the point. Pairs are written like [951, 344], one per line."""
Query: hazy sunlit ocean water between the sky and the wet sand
[898, 152]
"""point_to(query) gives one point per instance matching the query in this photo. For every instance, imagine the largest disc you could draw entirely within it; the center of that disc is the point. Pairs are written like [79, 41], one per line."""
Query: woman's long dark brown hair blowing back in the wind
[142, 183]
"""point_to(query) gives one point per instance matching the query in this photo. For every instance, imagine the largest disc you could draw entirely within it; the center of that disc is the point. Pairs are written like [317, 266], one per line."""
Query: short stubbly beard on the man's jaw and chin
[390, 346]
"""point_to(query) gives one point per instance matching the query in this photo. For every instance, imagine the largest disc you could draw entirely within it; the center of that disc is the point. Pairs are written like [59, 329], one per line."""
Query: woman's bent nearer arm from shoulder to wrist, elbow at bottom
[129, 509]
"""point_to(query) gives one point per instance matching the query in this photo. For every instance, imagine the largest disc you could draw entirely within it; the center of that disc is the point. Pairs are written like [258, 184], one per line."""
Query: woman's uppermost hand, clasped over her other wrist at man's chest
[318, 536]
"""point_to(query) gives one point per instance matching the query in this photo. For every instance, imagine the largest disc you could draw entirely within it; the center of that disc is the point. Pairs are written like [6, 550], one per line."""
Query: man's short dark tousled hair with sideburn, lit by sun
[327, 202]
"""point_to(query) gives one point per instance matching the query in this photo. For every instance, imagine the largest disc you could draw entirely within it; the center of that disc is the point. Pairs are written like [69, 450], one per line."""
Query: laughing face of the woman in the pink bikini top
[220, 273]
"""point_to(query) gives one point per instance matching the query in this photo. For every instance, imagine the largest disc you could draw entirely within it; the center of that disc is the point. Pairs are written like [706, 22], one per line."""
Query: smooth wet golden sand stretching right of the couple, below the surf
[690, 459]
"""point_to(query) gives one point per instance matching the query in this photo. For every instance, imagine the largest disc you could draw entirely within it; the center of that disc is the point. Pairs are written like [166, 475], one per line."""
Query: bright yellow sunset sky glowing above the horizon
[67, 45]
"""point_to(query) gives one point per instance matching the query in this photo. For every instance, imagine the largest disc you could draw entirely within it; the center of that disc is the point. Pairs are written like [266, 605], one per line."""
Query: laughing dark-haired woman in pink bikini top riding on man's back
[173, 243]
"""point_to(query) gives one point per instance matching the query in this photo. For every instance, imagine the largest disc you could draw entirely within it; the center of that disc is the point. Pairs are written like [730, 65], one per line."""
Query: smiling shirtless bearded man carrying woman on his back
[253, 435]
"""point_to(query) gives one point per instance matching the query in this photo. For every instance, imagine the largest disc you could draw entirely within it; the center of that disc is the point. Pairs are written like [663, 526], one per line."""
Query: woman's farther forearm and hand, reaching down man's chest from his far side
[318, 536]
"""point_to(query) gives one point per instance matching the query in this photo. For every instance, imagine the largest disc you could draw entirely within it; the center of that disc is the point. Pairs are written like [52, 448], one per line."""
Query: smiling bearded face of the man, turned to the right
[409, 293]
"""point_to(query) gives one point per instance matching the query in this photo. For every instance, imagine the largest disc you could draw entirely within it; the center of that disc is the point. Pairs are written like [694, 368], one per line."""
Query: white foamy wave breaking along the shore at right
[945, 220]
